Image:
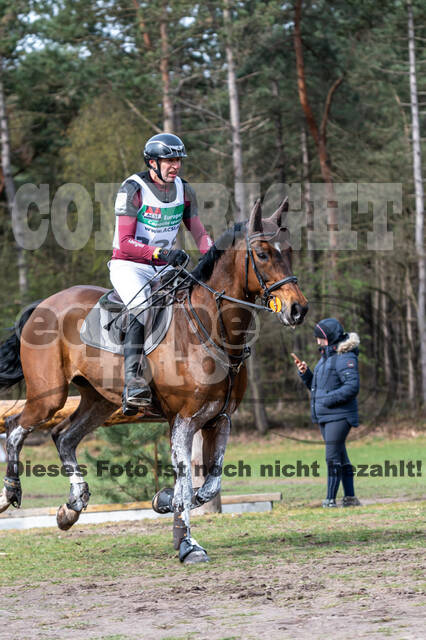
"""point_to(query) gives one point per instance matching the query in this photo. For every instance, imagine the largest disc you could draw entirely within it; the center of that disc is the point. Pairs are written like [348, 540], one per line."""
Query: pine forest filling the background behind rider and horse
[263, 93]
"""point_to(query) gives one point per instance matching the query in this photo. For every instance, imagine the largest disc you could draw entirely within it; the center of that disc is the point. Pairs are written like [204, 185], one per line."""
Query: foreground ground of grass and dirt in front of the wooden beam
[291, 573]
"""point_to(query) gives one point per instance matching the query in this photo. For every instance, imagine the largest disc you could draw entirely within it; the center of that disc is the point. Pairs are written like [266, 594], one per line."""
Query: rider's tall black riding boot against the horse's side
[136, 389]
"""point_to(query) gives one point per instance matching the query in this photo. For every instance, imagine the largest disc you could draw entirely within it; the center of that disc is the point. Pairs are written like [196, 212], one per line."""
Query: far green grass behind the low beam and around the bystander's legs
[369, 456]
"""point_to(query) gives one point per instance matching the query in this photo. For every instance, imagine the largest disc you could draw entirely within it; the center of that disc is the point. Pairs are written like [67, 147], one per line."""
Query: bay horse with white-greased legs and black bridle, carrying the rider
[198, 371]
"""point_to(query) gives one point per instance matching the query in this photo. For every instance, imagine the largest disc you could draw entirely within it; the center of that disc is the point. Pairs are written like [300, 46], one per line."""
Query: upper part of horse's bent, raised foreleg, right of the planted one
[214, 445]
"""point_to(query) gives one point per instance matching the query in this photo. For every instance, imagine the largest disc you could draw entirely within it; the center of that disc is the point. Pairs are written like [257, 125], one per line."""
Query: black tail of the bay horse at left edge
[10, 359]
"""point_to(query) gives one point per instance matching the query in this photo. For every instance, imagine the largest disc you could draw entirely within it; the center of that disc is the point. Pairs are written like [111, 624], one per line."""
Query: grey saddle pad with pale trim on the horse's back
[95, 332]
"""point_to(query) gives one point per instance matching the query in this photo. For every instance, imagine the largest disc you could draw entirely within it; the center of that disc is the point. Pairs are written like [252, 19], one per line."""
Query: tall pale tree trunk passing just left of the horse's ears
[240, 201]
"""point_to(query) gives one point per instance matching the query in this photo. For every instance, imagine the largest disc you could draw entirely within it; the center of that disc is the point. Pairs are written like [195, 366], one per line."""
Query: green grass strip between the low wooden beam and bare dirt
[246, 540]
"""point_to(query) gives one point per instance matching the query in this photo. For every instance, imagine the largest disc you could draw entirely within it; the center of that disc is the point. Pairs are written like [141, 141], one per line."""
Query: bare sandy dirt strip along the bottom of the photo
[344, 596]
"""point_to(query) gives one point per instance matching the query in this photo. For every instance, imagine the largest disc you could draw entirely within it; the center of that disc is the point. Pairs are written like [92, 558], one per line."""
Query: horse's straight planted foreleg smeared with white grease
[183, 497]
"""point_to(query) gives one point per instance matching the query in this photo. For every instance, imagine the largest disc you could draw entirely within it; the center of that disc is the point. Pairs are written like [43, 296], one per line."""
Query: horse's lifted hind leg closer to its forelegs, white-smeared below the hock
[91, 413]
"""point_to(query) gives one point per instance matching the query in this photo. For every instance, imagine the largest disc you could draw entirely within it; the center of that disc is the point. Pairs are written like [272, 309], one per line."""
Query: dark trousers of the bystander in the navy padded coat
[339, 467]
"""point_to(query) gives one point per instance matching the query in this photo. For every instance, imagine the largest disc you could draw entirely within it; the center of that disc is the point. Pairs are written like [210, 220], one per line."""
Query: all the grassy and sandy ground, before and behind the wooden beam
[293, 573]
